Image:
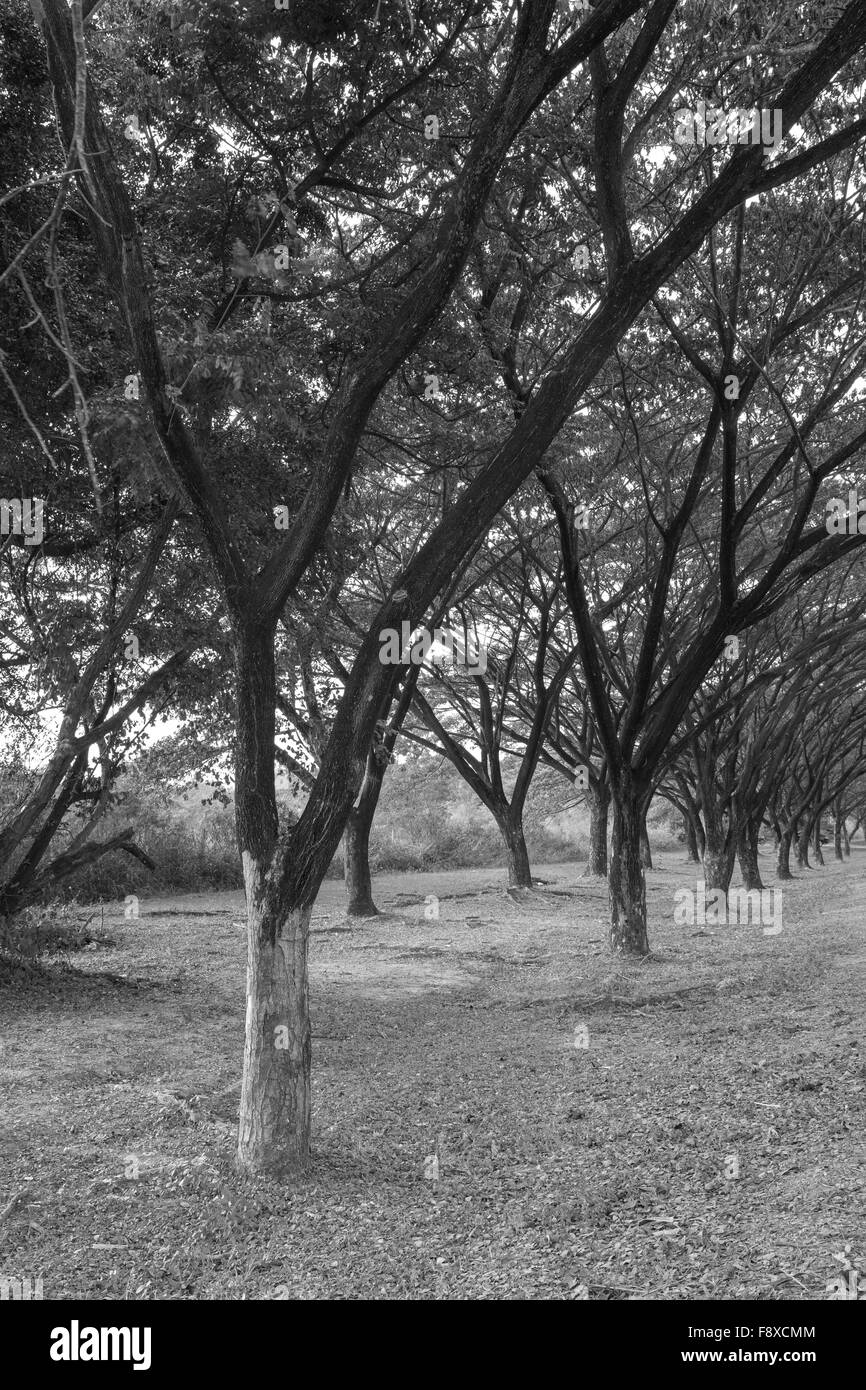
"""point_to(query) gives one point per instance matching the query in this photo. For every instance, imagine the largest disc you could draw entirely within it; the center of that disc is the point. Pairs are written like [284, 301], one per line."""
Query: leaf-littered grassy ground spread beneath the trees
[707, 1143]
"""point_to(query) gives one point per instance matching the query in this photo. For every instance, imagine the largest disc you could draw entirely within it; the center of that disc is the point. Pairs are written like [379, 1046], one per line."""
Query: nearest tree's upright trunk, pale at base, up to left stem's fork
[275, 1131]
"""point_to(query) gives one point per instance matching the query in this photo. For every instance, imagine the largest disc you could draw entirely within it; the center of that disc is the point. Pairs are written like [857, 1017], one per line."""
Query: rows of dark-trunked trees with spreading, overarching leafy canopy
[548, 375]
